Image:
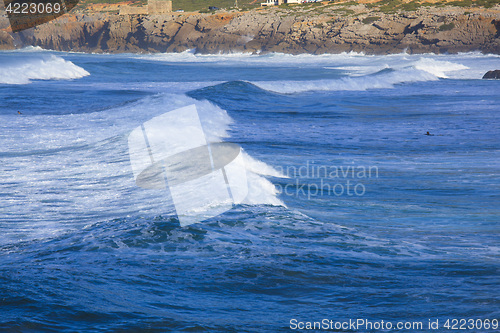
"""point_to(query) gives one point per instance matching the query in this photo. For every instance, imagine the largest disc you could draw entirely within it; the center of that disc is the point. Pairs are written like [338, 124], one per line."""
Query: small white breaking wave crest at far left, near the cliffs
[29, 67]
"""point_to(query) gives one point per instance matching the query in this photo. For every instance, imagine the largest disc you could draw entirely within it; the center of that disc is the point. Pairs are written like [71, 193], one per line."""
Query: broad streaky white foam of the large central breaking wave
[77, 165]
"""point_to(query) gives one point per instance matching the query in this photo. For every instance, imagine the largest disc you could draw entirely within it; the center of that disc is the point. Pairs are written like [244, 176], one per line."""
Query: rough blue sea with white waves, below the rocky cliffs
[353, 211]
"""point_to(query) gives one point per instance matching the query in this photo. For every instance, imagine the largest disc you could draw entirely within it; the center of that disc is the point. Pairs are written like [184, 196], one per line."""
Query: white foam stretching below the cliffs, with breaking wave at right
[350, 71]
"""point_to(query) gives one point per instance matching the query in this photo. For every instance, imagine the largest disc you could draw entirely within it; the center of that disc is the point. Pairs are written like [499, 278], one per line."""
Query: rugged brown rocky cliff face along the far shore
[428, 29]
